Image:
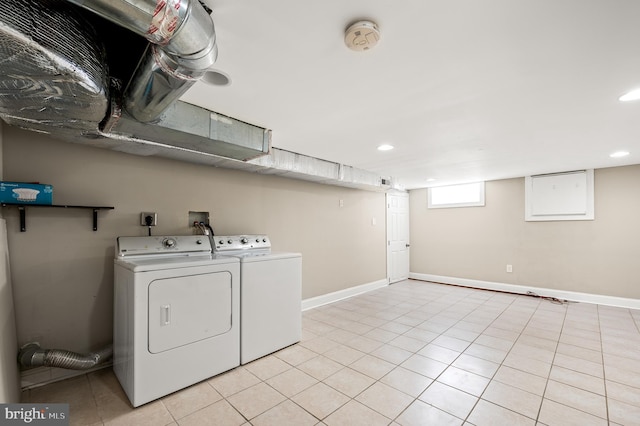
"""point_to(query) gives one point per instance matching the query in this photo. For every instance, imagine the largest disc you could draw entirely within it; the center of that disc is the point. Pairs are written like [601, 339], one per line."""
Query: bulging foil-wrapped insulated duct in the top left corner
[53, 75]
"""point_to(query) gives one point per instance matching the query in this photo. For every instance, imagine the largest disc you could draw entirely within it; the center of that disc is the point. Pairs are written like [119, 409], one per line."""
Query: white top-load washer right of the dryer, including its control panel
[270, 294]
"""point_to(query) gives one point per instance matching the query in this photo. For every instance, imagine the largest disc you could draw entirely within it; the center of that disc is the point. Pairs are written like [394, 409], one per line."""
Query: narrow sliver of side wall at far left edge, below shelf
[9, 383]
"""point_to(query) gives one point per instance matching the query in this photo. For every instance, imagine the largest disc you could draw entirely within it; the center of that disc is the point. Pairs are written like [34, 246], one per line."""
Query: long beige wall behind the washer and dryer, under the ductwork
[63, 271]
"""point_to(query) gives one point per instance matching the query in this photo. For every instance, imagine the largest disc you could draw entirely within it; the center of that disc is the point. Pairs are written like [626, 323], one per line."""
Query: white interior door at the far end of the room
[398, 237]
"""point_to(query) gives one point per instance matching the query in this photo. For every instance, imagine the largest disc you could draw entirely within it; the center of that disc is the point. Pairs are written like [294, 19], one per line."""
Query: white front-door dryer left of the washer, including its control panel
[177, 314]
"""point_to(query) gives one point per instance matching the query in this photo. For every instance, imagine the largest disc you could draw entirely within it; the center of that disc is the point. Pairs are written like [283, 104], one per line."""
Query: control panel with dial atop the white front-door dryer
[162, 245]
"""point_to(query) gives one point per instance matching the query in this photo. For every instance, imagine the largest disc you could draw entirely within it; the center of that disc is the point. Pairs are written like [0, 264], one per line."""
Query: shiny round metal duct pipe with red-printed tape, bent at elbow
[183, 48]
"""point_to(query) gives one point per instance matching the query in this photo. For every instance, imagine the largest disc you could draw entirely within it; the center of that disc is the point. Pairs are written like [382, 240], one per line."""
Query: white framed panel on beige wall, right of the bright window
[560, 196]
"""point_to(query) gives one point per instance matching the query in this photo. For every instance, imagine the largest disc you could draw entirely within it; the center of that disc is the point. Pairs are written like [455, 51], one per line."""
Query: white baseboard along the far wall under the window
[599, 299]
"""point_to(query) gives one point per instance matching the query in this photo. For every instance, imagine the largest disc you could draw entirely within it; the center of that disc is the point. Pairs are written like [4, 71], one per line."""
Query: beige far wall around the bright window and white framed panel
[596, 257]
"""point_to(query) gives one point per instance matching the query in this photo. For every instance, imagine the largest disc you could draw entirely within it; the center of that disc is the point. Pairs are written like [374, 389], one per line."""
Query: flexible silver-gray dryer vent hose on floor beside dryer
[32, 355]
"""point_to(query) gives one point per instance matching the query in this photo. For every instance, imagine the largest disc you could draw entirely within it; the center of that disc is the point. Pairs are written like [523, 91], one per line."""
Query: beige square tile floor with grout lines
[413, 353]
